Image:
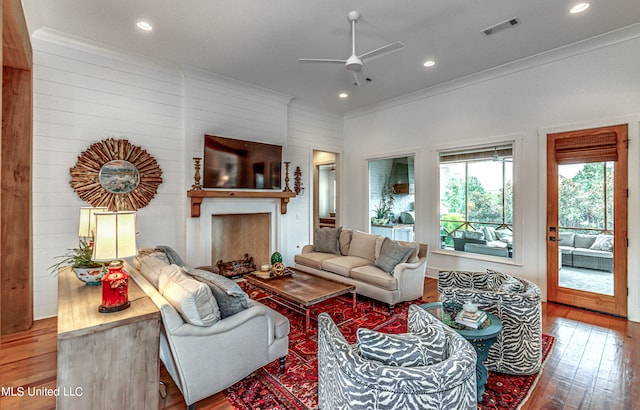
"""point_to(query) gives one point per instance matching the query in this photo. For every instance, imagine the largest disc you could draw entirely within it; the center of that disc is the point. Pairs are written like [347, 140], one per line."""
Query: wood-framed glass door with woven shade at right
[587, 219]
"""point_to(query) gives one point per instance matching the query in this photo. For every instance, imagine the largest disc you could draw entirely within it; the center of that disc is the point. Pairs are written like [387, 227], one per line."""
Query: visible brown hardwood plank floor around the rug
[595, 364]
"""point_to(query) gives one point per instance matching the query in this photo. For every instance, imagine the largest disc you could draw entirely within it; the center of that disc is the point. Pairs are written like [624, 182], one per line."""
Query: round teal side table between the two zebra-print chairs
[481, 339]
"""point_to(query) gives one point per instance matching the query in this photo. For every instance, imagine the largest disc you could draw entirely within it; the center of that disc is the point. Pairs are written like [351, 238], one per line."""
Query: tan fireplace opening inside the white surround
[234, 235]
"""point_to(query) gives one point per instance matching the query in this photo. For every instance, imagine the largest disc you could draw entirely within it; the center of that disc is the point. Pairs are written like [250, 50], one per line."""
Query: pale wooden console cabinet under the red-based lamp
[106, 360]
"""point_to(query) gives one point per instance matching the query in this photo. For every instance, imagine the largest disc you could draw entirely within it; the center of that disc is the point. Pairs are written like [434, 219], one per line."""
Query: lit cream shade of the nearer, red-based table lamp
[115, 236]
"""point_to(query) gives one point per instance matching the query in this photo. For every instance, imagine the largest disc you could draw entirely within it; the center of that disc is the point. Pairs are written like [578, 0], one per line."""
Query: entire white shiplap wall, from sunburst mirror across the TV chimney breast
[85, 92]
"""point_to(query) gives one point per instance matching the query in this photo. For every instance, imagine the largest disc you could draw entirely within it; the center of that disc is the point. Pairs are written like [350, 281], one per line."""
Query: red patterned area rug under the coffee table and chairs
[268, 389]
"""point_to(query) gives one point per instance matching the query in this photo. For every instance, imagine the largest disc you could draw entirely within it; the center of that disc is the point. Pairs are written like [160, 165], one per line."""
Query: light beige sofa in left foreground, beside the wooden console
[205, 359]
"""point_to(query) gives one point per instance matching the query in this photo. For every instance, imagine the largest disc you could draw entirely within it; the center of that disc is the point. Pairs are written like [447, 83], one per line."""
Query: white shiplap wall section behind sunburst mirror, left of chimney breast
[84, 93]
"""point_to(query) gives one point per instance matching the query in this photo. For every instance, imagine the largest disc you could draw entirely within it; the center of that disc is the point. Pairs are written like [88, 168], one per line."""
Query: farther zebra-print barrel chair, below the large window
[518, 304]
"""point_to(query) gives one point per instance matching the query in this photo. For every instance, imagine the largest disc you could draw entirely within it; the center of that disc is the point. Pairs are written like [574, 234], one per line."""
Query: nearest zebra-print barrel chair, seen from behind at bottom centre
[346, 380]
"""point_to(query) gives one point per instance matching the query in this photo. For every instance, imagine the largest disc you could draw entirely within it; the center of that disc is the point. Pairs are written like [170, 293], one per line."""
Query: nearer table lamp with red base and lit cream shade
[115, 239]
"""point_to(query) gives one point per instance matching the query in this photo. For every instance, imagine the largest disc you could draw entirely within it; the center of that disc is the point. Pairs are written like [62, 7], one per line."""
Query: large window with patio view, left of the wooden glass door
[476, 200]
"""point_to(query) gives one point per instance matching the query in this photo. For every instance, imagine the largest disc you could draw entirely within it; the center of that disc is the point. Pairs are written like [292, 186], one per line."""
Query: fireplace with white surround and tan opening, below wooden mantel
[230, 227]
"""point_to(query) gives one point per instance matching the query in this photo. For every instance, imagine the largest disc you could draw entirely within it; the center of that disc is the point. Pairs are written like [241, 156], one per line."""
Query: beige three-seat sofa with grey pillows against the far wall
[361, 259]
